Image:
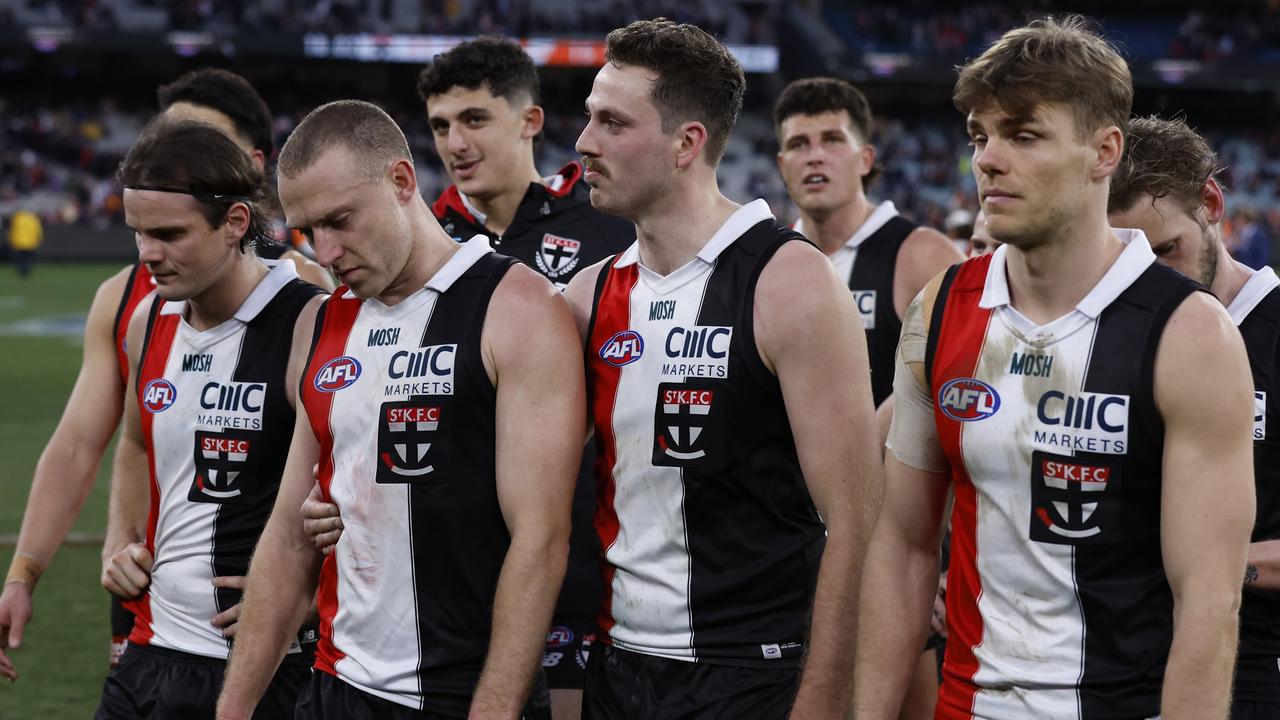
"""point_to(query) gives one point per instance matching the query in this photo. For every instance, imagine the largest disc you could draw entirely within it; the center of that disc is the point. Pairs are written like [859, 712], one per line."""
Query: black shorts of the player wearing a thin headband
[166, 685]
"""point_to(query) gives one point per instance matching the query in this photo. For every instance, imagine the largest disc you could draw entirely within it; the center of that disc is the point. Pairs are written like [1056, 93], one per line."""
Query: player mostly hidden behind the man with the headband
[66, 472]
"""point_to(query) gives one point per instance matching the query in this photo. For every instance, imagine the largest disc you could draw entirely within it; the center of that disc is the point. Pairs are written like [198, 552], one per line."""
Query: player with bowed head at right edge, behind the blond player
[1167, 186]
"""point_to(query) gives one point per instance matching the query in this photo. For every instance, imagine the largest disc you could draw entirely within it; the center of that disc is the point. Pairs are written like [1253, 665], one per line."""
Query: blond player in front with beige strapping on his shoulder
[1103, 489]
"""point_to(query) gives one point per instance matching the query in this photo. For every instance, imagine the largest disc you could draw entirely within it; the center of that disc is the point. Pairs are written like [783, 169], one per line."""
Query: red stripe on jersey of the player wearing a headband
[157, 348]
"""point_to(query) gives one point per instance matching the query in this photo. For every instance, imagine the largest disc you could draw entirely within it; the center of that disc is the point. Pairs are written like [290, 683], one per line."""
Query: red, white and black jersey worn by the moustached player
[712, 543]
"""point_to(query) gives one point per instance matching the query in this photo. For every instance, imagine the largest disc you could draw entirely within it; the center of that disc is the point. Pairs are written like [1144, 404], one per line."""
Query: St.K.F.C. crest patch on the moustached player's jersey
[689, 426]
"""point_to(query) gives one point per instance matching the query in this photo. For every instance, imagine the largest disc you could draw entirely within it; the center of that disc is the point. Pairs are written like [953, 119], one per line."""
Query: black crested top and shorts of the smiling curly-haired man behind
[557, 233]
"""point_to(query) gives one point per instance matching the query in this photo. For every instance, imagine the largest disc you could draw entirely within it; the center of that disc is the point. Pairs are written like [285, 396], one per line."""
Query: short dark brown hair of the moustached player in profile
[698, 78]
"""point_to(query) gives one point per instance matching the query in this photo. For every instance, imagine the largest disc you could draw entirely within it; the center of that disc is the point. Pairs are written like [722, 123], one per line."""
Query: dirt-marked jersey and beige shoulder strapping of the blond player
[1058, 603]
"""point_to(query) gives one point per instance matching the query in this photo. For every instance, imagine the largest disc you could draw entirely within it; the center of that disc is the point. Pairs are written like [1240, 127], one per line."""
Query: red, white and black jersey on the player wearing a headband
[217, 426]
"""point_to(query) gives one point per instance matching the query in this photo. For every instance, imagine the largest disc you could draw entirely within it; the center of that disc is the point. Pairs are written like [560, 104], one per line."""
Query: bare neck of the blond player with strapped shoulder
[1049, 280]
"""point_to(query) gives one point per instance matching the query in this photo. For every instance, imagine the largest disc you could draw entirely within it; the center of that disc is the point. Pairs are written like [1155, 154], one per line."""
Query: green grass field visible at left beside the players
[63, 659]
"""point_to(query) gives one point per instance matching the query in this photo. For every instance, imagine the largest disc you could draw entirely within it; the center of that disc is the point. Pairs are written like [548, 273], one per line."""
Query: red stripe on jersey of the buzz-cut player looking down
[340, 317]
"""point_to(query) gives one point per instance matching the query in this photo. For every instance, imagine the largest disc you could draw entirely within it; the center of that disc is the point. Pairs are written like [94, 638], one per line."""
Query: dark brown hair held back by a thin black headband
[198, 160]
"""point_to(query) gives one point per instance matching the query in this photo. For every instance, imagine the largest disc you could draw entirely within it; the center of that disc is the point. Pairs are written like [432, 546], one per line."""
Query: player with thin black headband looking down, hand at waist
[208, 425]
